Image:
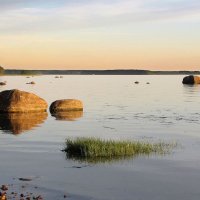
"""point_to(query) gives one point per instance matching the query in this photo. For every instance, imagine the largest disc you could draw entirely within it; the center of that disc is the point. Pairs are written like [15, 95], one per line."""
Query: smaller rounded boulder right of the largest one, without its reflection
[66, 105]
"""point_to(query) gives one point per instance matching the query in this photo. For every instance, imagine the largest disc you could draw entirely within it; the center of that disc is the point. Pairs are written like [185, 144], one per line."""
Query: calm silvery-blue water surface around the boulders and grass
[114, 107]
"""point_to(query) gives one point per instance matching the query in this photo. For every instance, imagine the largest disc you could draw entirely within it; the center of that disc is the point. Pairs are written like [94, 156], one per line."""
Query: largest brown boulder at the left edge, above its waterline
[20, 101]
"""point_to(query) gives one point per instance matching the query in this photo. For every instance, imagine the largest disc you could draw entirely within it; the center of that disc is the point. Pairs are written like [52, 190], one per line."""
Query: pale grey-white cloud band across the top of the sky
[60, 15]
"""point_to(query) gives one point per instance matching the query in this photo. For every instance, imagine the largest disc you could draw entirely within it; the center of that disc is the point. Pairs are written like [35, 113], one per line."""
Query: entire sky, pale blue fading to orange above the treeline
[100, 34]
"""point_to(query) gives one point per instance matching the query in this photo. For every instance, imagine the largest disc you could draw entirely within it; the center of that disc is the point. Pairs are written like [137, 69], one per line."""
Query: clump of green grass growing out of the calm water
[93, 148]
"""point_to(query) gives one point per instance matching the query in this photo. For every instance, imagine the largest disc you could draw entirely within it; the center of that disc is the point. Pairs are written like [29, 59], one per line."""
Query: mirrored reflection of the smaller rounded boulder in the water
[68, 115]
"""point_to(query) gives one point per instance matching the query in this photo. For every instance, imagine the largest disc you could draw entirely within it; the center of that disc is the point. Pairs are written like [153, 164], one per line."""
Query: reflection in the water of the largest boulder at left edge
[17, 123]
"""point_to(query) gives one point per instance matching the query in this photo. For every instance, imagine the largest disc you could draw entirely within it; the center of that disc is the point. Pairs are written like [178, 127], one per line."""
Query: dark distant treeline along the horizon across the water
[95, 72]
